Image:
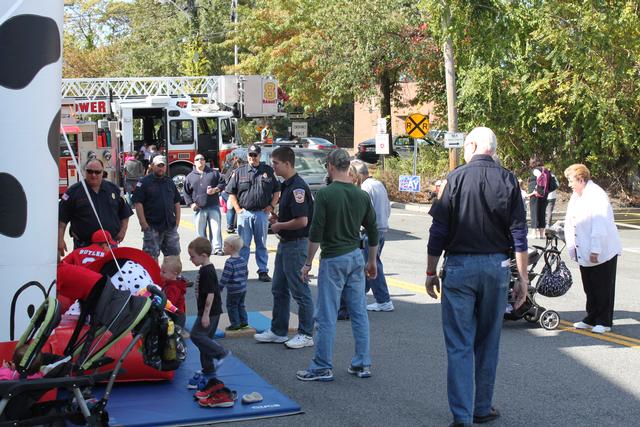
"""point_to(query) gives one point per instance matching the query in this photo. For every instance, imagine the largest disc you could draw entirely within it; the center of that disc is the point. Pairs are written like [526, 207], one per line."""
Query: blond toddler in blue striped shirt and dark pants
[234, 278]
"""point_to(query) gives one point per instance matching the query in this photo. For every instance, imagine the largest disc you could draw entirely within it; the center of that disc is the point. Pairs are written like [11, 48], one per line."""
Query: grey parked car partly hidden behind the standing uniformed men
[310, 164]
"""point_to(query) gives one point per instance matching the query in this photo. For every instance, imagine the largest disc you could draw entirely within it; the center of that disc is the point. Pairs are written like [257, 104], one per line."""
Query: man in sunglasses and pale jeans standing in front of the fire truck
[202, 189]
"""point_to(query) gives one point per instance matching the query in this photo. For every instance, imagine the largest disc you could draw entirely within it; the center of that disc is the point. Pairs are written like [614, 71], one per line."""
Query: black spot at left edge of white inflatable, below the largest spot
[13, 206]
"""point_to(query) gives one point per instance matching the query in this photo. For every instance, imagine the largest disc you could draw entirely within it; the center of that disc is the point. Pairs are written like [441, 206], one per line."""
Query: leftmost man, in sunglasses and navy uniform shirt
[75, 208]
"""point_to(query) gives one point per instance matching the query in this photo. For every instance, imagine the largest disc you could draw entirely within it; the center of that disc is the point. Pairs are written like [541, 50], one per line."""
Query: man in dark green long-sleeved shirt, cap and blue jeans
[340, 209]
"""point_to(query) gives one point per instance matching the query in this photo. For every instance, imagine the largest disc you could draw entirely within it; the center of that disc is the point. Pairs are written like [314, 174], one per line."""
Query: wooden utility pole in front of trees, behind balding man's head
[450, 76]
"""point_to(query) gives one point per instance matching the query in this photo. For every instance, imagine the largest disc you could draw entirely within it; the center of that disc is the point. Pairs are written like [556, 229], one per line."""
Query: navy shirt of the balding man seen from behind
[481, 210]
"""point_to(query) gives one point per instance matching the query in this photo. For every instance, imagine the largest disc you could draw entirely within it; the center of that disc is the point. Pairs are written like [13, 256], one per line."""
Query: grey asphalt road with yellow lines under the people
[564, 376]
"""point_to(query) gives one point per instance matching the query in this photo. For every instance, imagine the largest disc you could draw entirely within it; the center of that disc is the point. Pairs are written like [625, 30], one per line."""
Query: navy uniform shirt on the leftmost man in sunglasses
[74, 207]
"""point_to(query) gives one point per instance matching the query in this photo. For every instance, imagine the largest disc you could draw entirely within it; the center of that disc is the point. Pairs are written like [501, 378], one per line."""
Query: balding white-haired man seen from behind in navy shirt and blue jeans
[478, 221]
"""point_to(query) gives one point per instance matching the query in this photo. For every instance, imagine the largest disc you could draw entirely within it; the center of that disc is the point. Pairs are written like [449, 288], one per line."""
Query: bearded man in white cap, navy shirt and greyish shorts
[157, 203]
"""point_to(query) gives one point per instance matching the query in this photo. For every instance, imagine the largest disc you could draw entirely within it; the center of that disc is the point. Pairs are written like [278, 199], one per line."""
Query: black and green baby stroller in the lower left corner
[110, 314]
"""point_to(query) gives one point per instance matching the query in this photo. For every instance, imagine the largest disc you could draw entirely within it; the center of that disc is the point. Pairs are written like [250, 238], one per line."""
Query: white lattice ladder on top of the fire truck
[122, 88]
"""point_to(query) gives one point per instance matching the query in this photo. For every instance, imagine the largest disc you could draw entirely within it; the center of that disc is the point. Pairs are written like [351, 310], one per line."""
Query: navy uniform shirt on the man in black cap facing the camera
[253, 186]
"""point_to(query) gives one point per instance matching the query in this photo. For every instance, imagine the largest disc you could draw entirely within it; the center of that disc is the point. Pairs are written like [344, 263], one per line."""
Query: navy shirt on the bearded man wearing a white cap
[158, 196]
